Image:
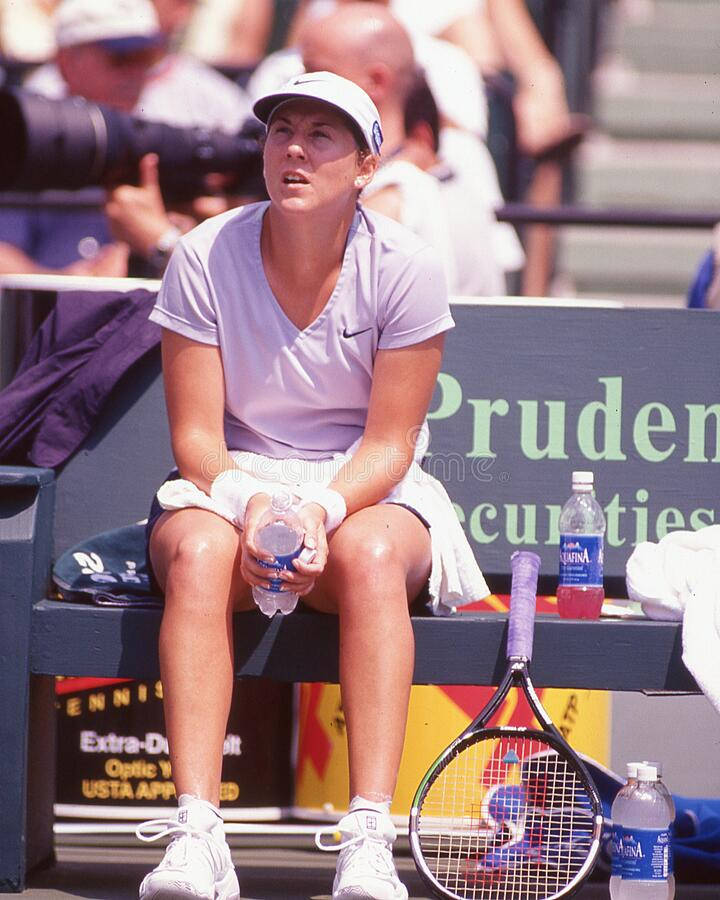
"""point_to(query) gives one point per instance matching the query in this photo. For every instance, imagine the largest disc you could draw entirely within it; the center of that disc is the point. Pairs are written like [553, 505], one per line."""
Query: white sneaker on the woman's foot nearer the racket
[365, 868]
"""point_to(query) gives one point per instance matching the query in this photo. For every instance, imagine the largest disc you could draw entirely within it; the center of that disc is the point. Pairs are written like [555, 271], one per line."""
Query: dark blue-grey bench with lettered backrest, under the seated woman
[526, 394]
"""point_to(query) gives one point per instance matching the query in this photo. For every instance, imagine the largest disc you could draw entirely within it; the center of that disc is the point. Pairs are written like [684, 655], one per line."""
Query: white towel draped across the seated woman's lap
[455, 578]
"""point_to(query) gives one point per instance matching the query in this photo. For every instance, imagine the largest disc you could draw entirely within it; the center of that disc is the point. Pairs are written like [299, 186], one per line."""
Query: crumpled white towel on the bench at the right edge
[679, 579]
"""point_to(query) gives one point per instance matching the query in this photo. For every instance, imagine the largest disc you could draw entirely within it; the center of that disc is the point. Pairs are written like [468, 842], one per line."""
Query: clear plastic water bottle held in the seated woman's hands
[279, 532]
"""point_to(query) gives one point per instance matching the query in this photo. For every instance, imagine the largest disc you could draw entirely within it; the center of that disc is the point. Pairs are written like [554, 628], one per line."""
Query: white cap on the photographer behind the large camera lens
[119, 25]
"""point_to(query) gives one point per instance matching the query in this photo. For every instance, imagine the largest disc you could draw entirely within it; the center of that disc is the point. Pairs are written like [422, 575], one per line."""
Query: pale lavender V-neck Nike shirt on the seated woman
[290, 392]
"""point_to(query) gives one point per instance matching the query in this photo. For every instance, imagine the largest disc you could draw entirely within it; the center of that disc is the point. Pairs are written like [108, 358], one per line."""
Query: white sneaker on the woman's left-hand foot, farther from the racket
[197, 860]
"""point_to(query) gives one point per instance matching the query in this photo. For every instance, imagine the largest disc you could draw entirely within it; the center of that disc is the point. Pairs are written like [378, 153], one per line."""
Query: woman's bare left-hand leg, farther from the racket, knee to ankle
[195, 556]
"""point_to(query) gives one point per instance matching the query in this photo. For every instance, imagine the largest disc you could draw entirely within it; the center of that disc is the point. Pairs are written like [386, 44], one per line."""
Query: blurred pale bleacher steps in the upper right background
[657, 118]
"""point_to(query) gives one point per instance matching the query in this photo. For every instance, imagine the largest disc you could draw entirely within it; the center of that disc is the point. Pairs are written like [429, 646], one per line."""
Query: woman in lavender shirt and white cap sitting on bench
[302, 340]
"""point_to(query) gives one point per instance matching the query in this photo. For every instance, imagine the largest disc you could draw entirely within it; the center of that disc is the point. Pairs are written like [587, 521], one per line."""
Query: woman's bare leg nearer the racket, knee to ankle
[379, 561]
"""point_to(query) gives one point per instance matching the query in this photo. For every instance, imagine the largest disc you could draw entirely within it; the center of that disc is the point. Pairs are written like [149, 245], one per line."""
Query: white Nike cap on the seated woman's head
[346, 96]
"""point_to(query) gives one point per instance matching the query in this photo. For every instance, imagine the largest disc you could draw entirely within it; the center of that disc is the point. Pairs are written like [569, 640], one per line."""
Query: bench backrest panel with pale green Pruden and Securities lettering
[527, 394]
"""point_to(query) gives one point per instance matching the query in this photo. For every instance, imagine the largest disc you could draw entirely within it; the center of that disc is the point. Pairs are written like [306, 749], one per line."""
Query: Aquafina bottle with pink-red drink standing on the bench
[580, 592]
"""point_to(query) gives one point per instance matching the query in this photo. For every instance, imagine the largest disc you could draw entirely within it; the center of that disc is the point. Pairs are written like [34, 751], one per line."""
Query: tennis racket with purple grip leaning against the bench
[508, 812]
